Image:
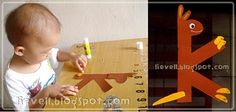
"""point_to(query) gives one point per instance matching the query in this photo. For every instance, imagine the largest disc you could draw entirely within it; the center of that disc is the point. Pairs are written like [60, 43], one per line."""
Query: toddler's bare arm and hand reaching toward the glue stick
[80, 61]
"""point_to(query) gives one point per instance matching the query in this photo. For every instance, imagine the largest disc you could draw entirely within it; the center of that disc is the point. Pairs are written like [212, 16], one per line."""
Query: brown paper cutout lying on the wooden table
[100, 79]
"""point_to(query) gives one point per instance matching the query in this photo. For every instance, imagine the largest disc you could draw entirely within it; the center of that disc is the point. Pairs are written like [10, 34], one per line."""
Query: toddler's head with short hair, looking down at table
[33, 31]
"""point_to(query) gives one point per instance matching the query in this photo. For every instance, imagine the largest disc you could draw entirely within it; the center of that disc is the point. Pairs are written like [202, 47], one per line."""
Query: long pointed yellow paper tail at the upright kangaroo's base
[169, 98]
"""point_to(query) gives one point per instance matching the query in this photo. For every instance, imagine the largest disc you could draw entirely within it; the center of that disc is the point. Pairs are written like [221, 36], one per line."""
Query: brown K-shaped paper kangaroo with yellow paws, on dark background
[189, 78]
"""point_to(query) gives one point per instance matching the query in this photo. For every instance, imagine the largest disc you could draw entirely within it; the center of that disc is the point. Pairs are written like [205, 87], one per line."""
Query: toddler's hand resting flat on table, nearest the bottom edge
[61, 91]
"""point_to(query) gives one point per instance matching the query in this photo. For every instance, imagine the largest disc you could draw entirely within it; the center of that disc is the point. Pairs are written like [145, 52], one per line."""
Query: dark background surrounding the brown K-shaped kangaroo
[162, 48]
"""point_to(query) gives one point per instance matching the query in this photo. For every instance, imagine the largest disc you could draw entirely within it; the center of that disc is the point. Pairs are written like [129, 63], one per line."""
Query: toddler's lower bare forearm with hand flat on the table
[53, 91]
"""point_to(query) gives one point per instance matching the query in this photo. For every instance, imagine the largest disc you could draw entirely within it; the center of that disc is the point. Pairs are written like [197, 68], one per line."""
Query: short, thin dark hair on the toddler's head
[30, 19]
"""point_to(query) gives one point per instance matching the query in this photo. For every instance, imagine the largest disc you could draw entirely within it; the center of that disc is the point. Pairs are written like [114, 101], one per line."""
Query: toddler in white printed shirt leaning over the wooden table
[34, 31]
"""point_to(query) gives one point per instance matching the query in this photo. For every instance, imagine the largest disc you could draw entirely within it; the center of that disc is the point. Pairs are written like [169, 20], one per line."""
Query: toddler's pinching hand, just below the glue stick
[80, 61]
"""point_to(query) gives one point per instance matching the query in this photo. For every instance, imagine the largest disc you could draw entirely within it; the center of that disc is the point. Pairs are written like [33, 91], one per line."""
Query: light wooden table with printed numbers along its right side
[108, 57]
